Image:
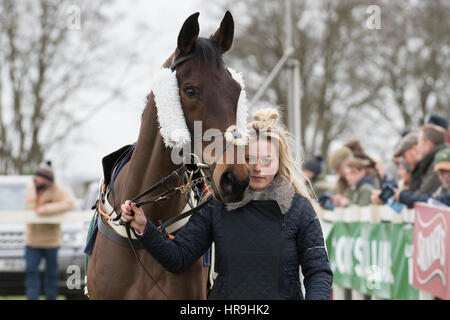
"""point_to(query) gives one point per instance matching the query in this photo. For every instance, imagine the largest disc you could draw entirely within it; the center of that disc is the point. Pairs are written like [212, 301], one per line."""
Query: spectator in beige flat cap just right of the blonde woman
[337, 163]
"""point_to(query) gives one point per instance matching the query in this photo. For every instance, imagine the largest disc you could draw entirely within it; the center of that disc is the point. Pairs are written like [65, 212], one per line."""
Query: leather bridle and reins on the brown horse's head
[190, 169]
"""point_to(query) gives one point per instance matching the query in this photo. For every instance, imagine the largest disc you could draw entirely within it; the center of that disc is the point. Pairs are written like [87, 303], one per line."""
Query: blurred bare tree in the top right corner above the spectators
[412, 53]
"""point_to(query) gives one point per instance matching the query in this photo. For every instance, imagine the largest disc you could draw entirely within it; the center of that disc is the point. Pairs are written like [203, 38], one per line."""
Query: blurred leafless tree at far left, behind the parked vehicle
[47, 54]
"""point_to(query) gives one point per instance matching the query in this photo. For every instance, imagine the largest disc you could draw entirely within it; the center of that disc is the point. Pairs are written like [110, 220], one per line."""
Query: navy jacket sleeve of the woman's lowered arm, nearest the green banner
[316, 270]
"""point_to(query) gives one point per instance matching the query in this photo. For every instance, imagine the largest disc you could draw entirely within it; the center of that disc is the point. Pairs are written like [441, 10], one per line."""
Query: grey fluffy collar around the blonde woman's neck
[279, 190]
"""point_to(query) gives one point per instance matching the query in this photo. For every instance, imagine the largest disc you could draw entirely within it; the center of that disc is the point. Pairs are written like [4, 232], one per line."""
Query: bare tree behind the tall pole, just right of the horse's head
[328, 43]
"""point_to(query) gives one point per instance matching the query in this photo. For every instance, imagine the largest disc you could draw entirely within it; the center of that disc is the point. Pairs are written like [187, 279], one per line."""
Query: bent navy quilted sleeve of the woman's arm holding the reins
[190, 243]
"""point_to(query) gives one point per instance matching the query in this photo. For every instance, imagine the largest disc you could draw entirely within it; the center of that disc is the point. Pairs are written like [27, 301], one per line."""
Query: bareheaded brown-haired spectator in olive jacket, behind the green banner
[361, 184]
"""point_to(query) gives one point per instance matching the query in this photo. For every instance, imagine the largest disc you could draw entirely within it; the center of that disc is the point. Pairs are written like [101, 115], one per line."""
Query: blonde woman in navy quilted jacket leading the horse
[260, 241]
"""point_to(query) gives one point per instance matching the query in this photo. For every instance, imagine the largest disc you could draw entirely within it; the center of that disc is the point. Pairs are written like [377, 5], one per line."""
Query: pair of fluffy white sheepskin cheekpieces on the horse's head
[172, 123]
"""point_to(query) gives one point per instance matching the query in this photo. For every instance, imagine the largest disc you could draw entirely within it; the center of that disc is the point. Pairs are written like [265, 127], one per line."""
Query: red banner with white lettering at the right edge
[432, 250]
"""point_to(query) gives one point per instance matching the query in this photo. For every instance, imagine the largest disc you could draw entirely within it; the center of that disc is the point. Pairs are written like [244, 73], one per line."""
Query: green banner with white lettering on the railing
[375, 259]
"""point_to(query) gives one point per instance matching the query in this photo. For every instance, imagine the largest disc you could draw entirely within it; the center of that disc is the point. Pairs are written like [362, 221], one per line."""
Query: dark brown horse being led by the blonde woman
[209, 93]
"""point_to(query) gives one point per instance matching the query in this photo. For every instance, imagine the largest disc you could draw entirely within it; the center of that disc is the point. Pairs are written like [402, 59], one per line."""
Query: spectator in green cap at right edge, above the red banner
[441, 165]
